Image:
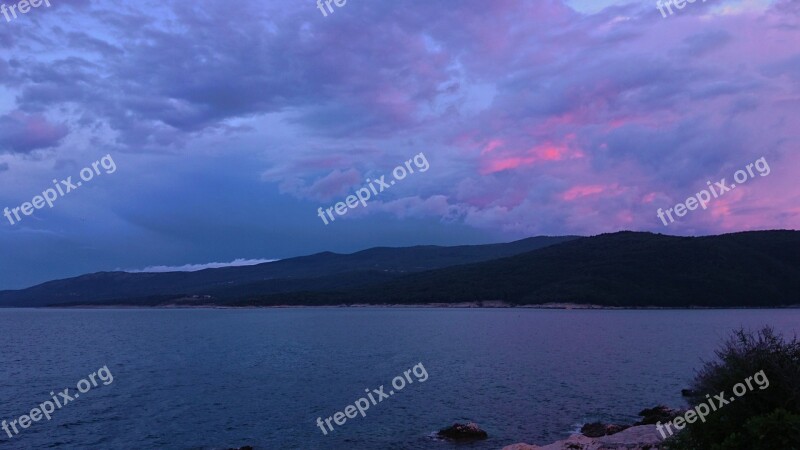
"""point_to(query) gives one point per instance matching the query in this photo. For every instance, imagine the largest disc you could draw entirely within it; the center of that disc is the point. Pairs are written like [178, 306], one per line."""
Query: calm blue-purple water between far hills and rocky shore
[206, 379]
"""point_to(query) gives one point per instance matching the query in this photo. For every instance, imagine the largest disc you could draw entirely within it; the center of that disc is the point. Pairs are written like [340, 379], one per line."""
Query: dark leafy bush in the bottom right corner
[761, 419]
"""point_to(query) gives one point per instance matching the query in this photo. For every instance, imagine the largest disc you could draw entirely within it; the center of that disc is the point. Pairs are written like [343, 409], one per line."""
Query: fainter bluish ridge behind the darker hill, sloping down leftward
[324, 270]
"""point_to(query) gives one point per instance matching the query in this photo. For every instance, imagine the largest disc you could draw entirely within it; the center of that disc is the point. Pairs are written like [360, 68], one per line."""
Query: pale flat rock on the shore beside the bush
[642, 437]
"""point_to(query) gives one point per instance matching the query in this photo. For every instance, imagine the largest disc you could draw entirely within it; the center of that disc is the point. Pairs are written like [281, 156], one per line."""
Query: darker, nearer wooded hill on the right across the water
[625, 269]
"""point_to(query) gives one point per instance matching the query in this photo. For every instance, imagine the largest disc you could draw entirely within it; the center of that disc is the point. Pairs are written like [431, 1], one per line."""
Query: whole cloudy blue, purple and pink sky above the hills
[218, 129]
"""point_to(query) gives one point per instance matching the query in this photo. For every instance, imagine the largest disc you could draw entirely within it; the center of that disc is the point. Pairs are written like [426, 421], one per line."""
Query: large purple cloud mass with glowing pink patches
[529, 107]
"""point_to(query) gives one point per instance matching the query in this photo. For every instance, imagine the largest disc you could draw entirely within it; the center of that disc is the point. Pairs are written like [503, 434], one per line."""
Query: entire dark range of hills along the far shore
[624, 269]
